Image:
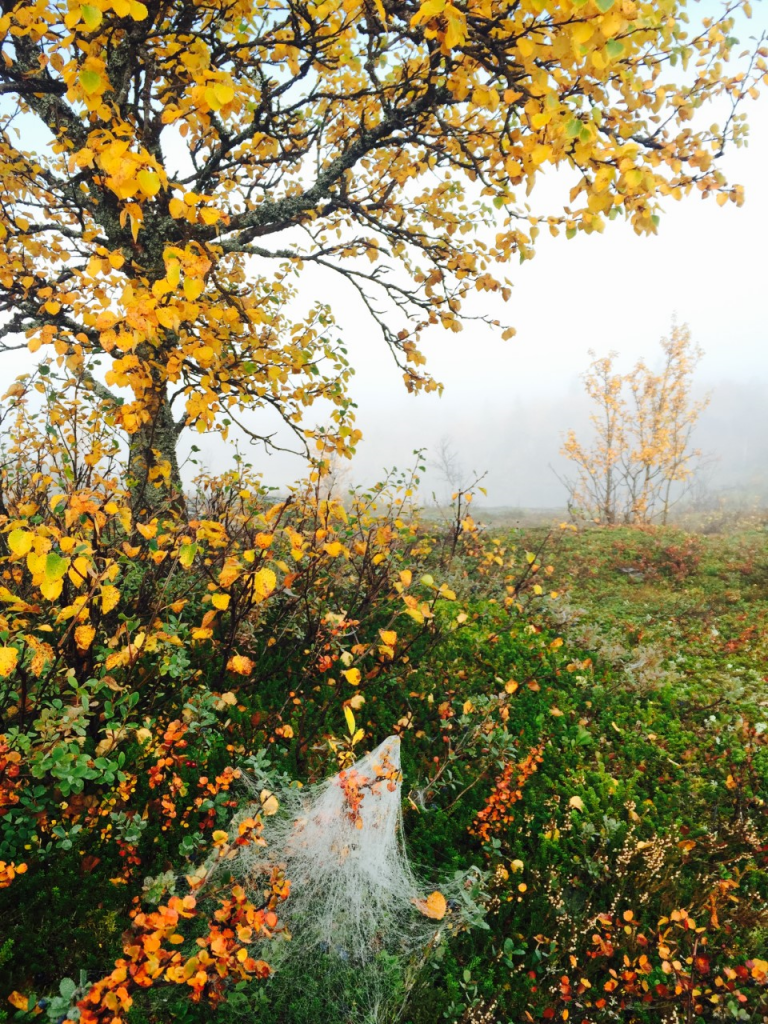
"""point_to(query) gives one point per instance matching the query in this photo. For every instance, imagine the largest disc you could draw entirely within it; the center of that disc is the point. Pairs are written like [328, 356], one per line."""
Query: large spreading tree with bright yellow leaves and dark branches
[191, 165]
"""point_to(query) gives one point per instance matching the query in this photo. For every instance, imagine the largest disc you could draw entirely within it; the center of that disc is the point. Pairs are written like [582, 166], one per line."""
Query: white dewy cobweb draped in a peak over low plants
[358, 924]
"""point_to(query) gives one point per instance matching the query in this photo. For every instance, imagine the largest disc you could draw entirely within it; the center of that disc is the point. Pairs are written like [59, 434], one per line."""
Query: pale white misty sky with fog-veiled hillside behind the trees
[506, 405]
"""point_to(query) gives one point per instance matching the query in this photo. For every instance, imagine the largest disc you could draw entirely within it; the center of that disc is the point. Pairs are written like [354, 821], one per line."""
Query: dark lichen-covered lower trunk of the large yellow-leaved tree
[153, 468]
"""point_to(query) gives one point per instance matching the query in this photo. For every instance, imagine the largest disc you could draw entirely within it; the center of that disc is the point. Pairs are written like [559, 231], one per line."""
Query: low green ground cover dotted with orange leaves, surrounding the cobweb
[596, 745]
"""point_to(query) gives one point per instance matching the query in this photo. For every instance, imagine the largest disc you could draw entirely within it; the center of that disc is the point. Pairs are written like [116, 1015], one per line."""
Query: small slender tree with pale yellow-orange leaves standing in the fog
[641, 460]
